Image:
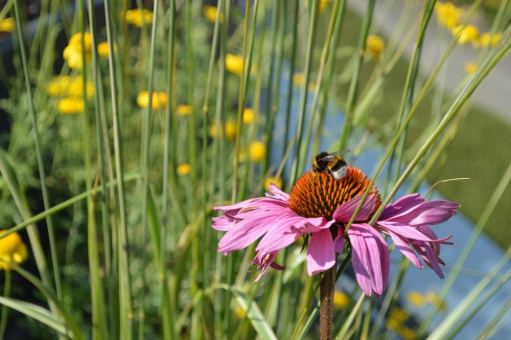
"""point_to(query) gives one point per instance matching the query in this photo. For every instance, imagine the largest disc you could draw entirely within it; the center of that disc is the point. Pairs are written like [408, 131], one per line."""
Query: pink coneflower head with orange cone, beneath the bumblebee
[319, 208]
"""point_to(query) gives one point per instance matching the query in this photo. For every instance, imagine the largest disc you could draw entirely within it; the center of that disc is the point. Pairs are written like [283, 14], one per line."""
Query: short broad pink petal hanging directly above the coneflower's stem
[320, 252]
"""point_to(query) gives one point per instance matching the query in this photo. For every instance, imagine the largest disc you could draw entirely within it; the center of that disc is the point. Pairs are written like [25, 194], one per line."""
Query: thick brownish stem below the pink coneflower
[326, 293]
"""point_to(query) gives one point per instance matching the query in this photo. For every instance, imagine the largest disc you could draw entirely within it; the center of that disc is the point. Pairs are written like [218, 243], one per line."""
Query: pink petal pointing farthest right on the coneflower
[429, 212]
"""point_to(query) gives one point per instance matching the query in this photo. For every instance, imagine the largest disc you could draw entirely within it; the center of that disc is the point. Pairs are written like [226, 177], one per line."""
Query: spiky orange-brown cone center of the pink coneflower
[318, 194]
